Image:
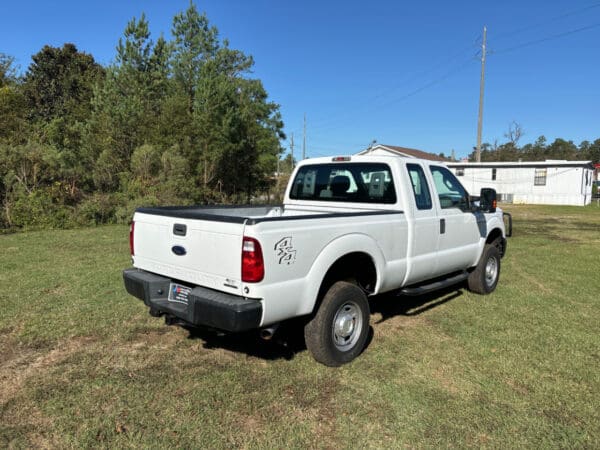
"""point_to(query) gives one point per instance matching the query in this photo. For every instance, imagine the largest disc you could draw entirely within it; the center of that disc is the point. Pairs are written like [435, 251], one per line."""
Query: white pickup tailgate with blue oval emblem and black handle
[199, 252]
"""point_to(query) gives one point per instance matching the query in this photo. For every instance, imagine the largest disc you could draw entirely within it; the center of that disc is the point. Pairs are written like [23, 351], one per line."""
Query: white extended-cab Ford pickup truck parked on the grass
[349, 228]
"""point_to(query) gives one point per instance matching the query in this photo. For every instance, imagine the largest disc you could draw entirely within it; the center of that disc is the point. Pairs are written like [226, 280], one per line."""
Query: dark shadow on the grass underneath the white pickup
[288, 341]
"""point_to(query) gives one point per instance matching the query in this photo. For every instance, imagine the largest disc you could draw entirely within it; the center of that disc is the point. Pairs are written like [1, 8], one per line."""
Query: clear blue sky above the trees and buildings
[402, 73]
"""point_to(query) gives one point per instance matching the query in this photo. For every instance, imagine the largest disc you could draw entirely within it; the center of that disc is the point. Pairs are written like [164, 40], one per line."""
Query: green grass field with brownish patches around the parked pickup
[82, 364]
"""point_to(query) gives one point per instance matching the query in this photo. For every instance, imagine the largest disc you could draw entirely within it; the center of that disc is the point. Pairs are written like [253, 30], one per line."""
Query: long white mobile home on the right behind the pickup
[539, 182]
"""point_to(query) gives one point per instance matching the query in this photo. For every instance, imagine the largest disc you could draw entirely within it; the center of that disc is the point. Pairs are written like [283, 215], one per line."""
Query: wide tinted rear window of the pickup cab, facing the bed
[345, 182]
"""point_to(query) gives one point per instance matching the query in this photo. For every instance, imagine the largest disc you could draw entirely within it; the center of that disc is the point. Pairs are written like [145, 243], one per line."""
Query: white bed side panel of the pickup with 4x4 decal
[298, 256]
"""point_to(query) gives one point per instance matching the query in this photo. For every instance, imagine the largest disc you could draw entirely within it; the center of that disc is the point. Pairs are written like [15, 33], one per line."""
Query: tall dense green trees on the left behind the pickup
[177, 121]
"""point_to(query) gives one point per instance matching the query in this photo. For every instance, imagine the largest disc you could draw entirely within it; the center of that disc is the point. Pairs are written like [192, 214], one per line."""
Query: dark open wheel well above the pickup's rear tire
[358, 267]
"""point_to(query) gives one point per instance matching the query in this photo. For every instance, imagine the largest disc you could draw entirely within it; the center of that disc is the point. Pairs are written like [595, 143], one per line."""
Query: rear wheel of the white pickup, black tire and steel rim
[338, 331]
